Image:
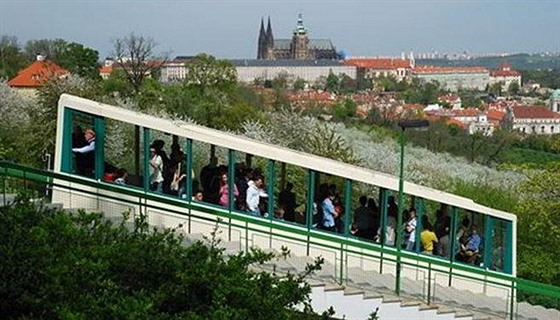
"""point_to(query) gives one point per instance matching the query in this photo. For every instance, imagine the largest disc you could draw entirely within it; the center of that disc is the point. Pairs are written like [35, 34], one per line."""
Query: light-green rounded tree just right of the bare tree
[205, 71]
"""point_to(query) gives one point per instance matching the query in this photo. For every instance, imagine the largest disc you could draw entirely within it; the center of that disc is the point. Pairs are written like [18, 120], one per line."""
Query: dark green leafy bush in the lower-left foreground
[77, 266]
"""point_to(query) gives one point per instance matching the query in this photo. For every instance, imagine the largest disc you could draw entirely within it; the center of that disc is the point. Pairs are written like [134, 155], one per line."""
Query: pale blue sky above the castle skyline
[229, 29]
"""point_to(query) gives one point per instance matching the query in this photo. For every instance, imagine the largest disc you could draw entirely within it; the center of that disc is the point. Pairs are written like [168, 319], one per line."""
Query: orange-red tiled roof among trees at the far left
[36, 74]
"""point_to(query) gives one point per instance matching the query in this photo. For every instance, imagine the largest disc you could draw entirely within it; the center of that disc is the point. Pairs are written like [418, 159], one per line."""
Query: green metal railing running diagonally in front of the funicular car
[16, 177]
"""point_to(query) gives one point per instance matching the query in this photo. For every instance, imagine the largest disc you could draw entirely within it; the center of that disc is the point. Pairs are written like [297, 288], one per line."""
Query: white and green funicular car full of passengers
[206, 175]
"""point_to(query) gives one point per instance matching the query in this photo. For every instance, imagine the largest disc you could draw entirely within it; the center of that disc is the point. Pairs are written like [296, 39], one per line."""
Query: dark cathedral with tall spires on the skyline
[299, 47]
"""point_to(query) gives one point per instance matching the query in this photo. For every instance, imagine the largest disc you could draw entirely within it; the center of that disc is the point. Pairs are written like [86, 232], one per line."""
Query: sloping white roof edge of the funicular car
[273, 152]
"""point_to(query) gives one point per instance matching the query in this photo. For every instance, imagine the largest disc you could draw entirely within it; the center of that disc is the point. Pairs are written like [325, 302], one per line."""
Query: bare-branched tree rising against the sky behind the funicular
[135, 56]
